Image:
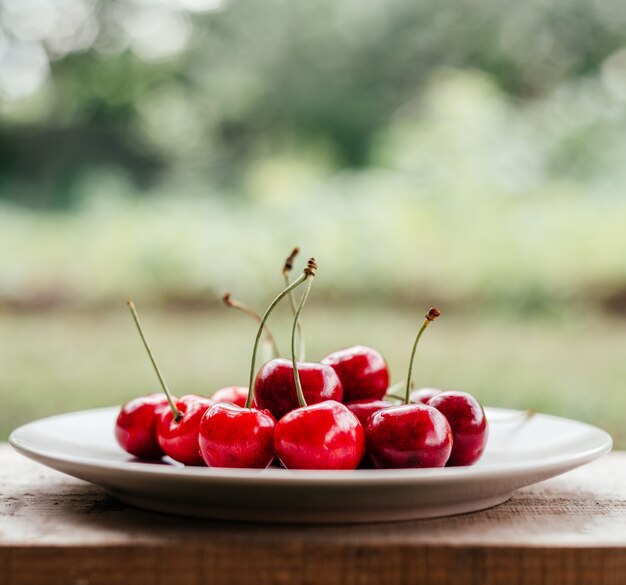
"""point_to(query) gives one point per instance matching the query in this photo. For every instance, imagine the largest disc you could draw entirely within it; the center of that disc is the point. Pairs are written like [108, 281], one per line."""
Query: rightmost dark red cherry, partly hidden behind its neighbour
[468, 423]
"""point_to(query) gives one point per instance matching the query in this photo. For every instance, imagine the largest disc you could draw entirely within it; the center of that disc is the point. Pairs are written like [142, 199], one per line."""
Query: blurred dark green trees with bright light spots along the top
[202, 89]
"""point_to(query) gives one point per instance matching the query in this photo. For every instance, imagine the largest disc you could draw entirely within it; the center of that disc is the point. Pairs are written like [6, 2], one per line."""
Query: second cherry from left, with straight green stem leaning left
[177, 428]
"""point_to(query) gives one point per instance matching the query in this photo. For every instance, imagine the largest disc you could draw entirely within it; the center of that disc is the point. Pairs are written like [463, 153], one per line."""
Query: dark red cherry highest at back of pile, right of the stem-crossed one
[363, 372]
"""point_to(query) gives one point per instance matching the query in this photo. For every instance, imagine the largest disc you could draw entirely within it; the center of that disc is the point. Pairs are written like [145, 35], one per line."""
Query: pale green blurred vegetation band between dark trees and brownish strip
[469, 195]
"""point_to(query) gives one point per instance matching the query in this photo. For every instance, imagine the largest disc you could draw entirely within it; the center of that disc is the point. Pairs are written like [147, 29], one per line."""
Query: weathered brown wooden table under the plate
[58, 530]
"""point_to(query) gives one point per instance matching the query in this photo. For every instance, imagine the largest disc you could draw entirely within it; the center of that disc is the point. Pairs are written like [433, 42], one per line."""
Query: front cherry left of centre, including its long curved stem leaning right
[231, 436]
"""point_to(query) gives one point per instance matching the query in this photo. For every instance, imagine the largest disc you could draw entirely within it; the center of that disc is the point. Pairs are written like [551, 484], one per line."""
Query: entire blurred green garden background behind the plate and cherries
[470, 155]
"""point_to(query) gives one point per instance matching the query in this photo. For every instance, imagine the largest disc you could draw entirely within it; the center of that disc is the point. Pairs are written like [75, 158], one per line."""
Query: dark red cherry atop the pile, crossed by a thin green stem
[275, 389]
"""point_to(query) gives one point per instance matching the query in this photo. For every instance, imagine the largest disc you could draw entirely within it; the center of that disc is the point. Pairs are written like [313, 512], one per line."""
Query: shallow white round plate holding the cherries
[518, 453]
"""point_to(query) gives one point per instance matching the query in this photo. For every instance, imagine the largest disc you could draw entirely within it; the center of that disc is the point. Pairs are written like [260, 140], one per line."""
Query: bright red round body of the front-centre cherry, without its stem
[325, 435]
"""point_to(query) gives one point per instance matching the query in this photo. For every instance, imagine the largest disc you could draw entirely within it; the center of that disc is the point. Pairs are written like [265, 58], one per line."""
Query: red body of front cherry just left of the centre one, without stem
[231, 436]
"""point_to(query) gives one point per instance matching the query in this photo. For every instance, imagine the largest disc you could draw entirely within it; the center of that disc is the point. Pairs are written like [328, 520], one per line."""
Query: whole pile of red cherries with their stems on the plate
[336, 414]
